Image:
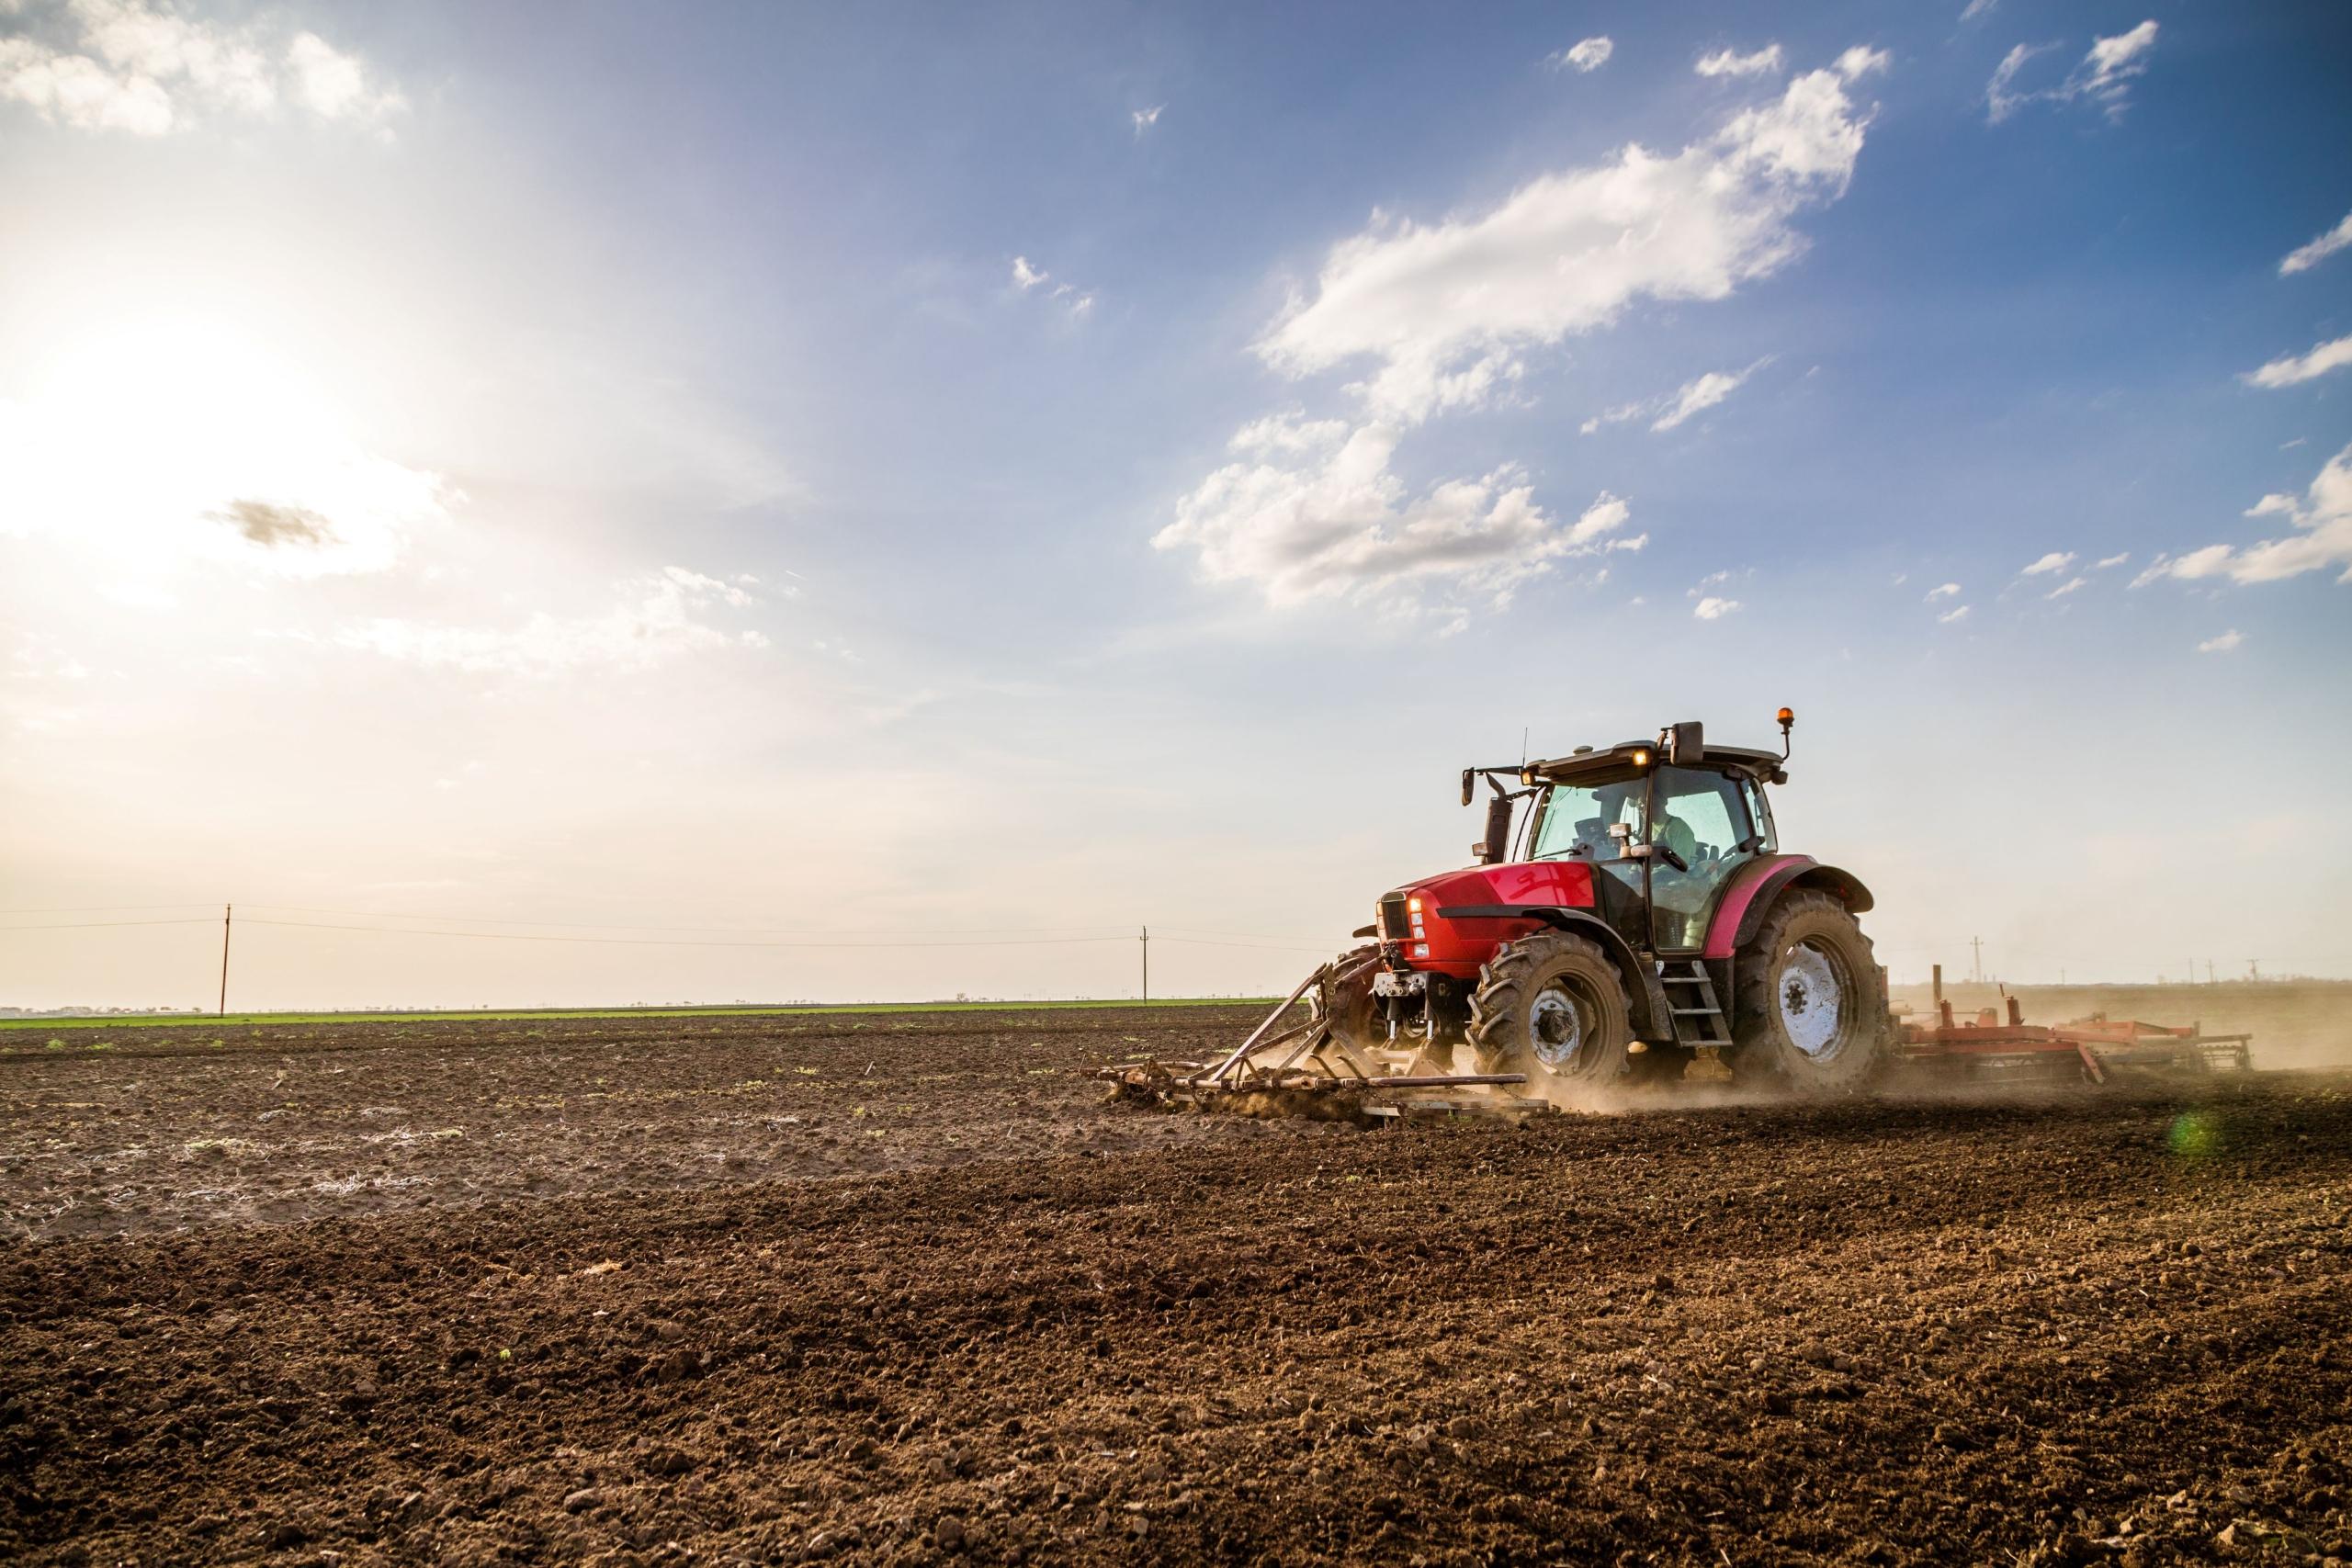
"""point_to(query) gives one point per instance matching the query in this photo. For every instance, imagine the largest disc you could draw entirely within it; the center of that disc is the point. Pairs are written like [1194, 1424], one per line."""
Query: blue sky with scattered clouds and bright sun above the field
[648, 504]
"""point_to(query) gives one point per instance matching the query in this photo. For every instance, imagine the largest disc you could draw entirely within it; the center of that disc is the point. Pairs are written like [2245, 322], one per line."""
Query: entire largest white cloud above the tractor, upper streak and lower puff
[1445, 314]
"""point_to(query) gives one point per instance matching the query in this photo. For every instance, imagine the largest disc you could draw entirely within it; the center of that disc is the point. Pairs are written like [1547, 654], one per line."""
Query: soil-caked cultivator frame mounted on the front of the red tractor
[1309, 1071]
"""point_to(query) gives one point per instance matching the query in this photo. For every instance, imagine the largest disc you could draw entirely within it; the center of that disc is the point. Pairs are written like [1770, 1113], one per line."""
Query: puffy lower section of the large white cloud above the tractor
[1314, 511]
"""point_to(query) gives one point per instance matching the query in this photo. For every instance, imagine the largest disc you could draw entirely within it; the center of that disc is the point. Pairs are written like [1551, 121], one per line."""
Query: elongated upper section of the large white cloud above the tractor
[1448, 309]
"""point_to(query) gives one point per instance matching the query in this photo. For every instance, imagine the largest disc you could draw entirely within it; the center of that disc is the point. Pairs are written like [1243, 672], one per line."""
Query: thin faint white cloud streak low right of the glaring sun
[660, 622]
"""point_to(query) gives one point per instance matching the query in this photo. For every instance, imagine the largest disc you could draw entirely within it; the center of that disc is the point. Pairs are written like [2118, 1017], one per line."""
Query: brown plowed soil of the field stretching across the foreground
[907, 1289]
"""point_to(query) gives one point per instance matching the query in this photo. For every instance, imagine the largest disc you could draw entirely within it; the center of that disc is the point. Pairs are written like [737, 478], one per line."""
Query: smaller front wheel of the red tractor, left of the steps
[1556, 1010]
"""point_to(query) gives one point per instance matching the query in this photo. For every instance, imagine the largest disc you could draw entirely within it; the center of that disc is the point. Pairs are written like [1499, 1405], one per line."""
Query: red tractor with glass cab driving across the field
[1641, 911]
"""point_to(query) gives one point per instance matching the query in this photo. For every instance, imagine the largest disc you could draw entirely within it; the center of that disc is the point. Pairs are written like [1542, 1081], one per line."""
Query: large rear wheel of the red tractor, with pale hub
[1810, 1012]
